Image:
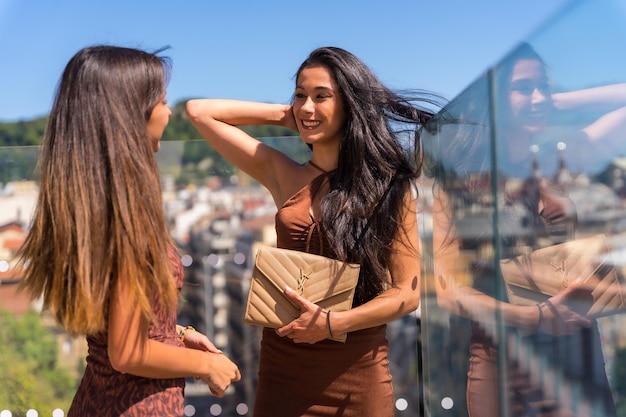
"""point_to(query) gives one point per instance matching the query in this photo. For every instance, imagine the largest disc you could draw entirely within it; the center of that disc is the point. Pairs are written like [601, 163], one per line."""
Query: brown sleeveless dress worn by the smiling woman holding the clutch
[327, 378]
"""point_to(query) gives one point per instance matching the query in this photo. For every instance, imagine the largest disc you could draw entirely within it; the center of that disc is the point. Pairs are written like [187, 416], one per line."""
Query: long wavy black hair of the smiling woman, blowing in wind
[377, 151]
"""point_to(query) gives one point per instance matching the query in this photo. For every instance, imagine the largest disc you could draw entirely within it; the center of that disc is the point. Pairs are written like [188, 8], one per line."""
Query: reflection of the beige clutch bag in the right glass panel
[533, 278]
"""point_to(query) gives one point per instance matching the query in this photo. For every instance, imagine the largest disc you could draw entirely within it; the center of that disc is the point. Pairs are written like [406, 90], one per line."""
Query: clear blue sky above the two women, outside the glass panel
[250, 49]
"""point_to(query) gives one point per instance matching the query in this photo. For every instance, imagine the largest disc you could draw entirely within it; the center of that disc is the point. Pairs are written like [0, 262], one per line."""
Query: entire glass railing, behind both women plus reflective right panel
[522, 226]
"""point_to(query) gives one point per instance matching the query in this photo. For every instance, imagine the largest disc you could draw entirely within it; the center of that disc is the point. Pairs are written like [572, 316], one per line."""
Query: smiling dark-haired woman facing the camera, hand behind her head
[345, 114]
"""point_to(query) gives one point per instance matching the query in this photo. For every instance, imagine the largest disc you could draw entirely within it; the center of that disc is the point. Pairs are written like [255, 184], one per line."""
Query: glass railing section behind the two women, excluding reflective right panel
[216, 215]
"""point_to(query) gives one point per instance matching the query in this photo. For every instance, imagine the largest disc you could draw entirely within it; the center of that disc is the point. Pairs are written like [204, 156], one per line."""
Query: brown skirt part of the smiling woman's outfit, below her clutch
[326, 378]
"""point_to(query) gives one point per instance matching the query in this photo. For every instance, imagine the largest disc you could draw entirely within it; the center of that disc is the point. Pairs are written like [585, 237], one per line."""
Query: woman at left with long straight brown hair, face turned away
[98, 249]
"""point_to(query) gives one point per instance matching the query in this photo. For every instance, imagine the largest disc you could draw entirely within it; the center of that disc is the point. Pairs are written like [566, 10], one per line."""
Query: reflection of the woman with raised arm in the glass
[553, 356]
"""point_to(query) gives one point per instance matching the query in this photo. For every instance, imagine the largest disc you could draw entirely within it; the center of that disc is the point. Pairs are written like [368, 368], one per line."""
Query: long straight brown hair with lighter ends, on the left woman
[99, 216]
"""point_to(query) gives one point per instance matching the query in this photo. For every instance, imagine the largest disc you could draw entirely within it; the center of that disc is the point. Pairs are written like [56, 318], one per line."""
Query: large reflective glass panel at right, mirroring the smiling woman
[524, 230]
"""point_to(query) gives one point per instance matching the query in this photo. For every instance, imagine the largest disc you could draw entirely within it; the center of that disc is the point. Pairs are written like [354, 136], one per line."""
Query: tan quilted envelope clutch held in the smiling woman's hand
[324, 281]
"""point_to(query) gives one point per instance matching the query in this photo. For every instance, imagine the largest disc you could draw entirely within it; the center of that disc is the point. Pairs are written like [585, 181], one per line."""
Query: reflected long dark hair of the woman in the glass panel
[461, 157]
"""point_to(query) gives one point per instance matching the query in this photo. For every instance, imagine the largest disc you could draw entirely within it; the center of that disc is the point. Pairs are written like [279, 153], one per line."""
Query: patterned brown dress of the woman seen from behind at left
[106, 392]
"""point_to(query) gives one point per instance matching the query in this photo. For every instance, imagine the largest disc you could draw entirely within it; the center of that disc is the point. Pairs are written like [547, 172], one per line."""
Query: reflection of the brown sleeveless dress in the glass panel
[578, 358]
